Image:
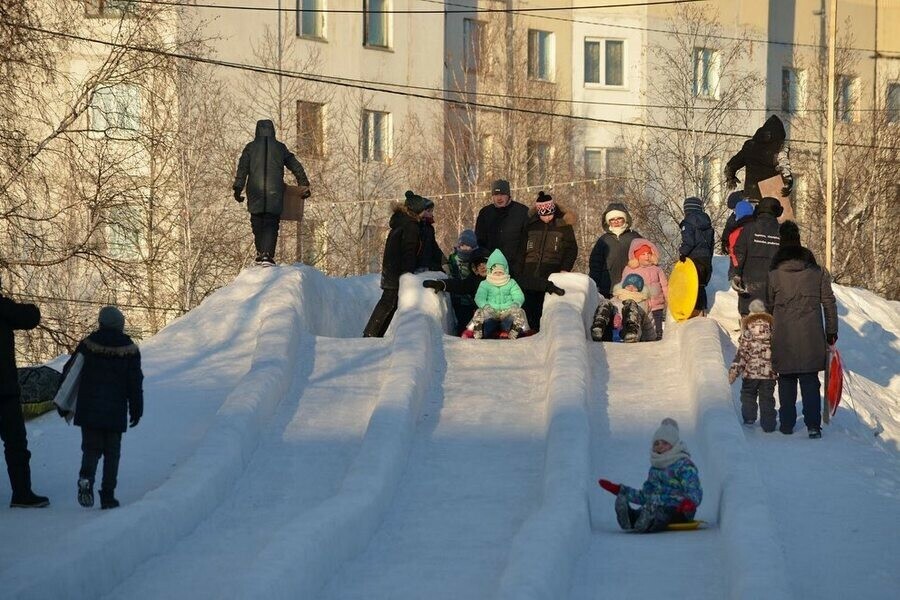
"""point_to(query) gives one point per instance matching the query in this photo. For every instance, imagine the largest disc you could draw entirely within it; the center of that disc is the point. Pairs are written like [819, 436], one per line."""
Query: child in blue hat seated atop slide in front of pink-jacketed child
[629, 311]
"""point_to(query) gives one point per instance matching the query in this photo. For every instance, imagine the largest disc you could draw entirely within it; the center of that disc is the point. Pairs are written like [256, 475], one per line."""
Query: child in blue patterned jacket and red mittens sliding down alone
[671, 493]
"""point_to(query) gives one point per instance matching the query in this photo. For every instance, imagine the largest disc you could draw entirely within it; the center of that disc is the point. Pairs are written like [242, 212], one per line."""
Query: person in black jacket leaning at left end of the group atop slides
[401, 252]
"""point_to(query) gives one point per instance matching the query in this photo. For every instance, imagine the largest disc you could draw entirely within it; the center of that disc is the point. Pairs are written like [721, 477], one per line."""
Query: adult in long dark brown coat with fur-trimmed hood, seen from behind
[799, 293]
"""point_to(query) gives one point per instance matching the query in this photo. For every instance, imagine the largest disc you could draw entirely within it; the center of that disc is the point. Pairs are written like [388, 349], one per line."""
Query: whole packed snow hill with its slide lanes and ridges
[281, 455]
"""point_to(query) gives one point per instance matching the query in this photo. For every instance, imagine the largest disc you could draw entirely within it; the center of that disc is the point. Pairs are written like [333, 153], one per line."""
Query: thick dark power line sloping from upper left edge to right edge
[325, 79]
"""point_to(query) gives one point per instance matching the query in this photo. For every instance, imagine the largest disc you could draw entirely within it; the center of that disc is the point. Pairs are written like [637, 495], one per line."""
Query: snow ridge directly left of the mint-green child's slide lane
[300, 559]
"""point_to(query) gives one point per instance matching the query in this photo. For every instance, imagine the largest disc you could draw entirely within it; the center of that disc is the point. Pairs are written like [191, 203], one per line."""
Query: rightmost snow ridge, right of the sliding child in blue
[752, 554]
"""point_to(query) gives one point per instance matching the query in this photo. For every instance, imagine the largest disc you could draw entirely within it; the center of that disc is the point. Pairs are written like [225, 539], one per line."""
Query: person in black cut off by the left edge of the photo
[15, 316]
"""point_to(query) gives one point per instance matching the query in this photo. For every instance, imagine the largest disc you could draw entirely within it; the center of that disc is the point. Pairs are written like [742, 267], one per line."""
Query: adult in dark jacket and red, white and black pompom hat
[548, 246]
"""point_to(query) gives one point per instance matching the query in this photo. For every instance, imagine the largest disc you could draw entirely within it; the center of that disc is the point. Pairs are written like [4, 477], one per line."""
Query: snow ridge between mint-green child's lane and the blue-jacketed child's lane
[546, 548]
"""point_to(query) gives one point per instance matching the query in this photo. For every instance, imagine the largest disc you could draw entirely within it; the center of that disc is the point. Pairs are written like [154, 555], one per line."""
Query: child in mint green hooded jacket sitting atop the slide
[499, 297]
